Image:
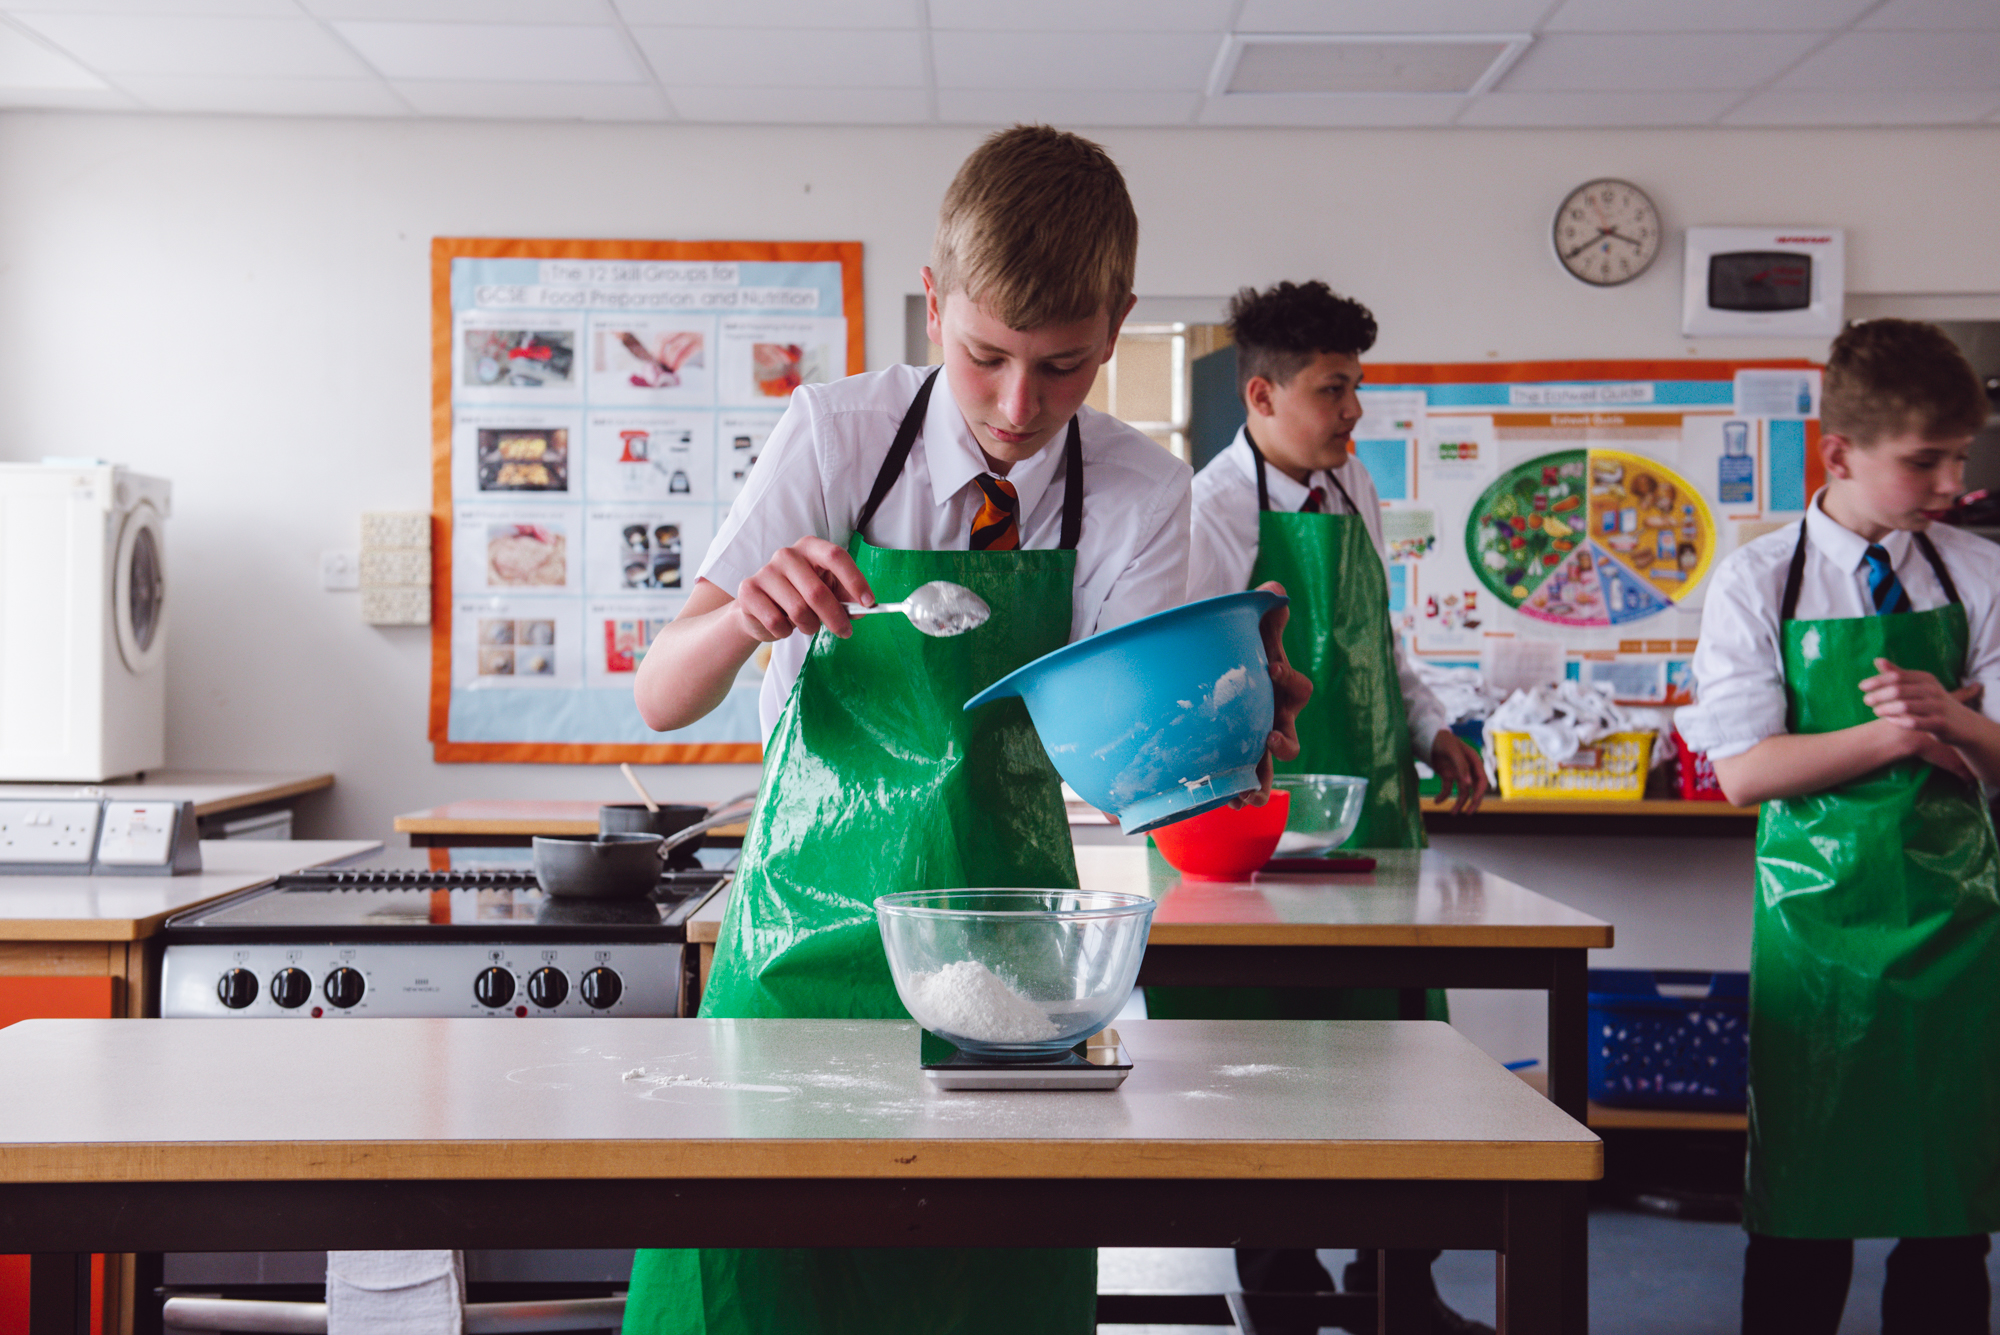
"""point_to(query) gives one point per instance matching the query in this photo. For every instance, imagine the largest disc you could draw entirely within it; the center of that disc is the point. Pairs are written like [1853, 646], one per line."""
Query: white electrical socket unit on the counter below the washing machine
[83, 836]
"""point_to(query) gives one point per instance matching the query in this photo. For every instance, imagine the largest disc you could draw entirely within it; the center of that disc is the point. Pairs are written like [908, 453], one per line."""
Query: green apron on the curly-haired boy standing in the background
[1339, 637]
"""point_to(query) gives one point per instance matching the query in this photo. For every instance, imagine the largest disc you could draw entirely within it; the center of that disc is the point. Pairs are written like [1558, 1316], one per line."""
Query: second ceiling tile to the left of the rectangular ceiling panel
[795, 59]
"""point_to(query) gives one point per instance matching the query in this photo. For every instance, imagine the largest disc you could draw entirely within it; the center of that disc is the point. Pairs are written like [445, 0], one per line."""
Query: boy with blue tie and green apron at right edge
[1843, 682]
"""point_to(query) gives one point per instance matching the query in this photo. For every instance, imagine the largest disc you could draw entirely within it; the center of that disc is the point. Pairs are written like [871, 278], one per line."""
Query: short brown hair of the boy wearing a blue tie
[1891, 377]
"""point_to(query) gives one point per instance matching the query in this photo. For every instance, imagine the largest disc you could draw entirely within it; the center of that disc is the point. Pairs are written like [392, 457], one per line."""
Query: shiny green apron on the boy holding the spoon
[877, 782]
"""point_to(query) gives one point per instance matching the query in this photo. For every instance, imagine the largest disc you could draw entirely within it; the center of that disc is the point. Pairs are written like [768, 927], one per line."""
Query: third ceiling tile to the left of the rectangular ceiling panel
[509, 53]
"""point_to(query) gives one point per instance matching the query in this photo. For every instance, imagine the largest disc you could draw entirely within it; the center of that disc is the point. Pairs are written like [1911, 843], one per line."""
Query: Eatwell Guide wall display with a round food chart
[1579, 507]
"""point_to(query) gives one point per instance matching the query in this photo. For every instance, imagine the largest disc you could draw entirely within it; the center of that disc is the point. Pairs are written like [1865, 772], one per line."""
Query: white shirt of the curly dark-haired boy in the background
[1225, 543]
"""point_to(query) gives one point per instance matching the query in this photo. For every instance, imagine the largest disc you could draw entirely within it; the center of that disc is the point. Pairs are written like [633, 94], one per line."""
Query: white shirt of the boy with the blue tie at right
[1739, 667]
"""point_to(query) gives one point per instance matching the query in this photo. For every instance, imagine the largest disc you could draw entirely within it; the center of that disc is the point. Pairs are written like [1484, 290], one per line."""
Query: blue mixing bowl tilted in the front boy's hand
[1161, 718]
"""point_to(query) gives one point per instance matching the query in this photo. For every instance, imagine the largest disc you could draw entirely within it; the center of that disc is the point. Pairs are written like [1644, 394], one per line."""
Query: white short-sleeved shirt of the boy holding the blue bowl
[823, 459]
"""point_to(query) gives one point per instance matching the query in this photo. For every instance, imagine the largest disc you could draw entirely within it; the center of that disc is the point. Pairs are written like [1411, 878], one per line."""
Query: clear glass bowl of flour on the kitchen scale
[1015, 972]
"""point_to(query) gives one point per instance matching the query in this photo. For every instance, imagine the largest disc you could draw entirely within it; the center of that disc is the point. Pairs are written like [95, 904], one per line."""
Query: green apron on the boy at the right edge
[1875, 966]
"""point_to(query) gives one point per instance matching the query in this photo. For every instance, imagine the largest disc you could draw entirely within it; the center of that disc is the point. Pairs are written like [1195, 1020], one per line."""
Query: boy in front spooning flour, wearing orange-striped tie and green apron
[1067, 523]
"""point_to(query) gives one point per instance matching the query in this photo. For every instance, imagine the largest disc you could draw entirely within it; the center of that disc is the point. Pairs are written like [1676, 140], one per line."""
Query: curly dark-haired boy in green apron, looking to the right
[1291, 503]
